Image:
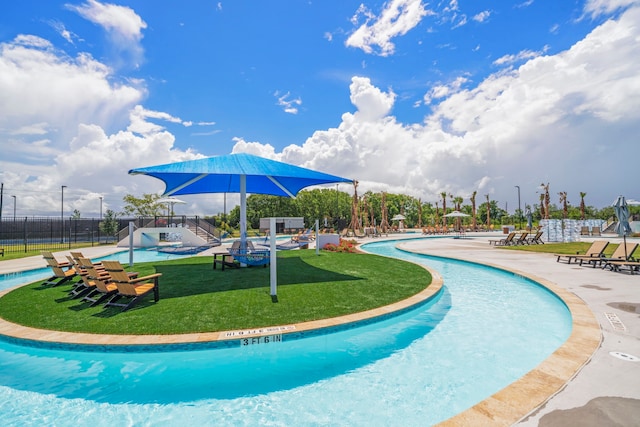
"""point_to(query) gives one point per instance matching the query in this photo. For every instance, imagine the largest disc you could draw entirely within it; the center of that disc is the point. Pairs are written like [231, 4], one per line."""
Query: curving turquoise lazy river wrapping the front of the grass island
[416, 369]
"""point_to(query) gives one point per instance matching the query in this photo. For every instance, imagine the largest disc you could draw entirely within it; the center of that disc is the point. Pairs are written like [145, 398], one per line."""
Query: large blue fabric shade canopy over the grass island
[221, 174]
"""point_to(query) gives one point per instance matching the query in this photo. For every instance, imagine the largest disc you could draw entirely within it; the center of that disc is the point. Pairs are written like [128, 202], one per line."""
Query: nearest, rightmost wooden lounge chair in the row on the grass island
[131, 289]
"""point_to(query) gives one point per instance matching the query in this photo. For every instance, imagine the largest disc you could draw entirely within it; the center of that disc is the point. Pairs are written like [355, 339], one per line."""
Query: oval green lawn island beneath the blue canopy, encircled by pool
[196, 298]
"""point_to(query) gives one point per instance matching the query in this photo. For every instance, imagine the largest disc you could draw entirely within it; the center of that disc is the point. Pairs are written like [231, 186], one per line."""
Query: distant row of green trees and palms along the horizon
[339, 209]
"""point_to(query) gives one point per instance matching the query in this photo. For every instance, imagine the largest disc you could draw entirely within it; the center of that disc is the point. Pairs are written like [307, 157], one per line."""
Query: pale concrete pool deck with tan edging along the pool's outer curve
[610, 325]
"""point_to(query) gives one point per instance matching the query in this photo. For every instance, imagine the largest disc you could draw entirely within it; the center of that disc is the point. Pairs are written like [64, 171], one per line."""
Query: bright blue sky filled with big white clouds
[402, 95]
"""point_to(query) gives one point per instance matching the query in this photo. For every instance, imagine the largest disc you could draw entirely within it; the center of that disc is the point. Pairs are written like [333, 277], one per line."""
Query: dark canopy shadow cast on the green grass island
[193, 279]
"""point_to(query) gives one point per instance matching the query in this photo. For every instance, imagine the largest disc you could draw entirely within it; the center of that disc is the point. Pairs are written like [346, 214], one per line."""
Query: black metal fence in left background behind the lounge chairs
[48, 233]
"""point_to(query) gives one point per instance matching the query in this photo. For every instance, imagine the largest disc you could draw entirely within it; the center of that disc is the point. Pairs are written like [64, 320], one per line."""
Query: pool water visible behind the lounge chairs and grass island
[9, 280]
